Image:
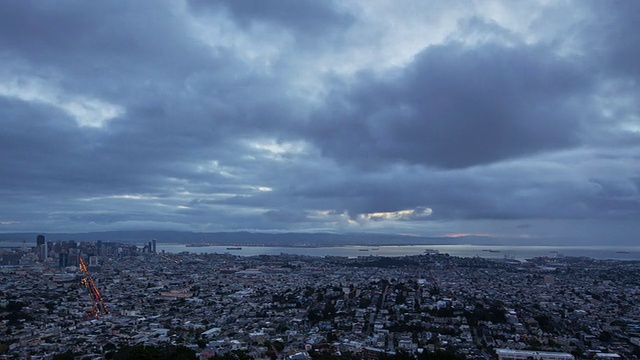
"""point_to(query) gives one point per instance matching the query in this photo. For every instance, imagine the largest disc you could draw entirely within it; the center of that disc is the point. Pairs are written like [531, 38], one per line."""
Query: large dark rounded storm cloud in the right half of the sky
[457, 106]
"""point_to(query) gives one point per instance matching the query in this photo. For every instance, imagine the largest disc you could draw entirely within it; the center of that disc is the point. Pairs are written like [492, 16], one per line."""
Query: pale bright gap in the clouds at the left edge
[87, 112]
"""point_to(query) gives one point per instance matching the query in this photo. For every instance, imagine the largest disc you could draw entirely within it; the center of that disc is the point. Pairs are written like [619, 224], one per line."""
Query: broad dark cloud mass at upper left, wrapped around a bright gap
[181, 100]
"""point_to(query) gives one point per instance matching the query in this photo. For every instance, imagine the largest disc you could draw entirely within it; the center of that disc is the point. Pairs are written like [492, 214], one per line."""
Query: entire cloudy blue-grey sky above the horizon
[511, 120]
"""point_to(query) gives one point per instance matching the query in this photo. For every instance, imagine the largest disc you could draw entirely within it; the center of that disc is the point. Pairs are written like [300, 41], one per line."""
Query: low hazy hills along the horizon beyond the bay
[253, 238]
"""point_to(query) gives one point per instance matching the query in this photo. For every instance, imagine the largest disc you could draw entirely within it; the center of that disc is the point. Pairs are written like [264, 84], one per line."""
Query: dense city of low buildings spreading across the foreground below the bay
[300, 307]
